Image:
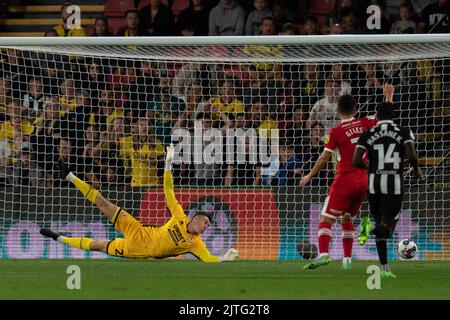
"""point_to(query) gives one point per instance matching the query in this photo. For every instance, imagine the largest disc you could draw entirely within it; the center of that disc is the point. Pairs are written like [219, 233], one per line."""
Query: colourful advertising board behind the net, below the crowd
[260, 223]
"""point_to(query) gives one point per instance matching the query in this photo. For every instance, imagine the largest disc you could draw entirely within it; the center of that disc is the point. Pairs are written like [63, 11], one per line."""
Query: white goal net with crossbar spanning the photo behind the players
[248, 116]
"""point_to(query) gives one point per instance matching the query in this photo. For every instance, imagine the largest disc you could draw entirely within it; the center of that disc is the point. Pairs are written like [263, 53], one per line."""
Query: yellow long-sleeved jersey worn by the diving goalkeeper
[172, 238]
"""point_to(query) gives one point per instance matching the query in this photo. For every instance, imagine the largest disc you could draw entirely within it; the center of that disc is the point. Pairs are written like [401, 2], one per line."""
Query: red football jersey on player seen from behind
[343, 138]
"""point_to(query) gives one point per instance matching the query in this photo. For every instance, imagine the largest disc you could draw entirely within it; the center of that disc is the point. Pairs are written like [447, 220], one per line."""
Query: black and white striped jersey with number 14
[385, 148]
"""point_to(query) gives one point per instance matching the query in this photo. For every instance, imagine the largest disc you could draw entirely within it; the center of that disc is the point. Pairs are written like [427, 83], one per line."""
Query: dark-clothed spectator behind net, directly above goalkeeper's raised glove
[164, 109]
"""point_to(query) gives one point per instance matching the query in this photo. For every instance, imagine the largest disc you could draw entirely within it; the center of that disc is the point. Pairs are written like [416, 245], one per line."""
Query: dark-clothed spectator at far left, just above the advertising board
[25, 172]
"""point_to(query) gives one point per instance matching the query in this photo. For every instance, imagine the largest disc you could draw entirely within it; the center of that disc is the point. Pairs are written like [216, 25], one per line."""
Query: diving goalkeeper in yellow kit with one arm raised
[178, 236]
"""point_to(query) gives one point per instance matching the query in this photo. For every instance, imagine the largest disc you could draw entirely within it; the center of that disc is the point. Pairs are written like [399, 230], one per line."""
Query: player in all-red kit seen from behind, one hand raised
[349, 186]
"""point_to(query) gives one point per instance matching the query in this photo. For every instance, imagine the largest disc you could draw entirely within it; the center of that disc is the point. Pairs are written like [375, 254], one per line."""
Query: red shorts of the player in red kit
[346, 195]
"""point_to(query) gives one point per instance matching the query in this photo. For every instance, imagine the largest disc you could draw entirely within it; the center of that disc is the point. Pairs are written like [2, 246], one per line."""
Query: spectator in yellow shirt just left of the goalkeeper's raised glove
[145, 153]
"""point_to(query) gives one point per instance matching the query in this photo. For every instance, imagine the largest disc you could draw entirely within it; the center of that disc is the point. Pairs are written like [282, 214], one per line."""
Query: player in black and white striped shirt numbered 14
[387, 145]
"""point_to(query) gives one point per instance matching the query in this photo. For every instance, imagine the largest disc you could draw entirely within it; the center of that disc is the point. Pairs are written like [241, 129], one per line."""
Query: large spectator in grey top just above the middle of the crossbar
[227, 19]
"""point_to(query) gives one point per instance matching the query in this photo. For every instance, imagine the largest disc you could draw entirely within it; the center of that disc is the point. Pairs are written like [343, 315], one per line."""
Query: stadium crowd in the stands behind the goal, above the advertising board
[110, 119]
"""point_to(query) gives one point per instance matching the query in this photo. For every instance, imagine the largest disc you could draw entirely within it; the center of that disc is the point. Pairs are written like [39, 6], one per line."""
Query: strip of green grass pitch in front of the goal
[183, 279]
